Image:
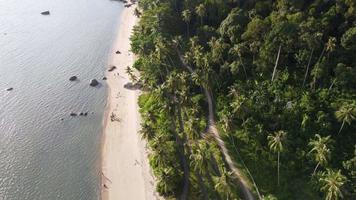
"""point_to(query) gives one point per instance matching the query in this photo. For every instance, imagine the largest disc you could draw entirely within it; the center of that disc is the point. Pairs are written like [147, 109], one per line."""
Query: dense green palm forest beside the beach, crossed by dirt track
[279, 78]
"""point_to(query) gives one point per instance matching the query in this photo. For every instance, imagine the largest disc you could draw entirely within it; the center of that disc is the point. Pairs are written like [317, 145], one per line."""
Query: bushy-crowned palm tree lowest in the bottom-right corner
[331, 182]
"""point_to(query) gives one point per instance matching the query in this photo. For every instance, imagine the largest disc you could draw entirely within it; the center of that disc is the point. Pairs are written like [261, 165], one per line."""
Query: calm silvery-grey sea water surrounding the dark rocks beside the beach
[41, 156]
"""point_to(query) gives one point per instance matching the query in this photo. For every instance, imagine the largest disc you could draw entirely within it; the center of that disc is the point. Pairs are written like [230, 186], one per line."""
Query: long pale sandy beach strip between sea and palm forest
[125, 169]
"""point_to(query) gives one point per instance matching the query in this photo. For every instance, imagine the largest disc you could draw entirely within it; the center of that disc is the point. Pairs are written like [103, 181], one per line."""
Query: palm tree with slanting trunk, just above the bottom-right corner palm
[320, 150]
